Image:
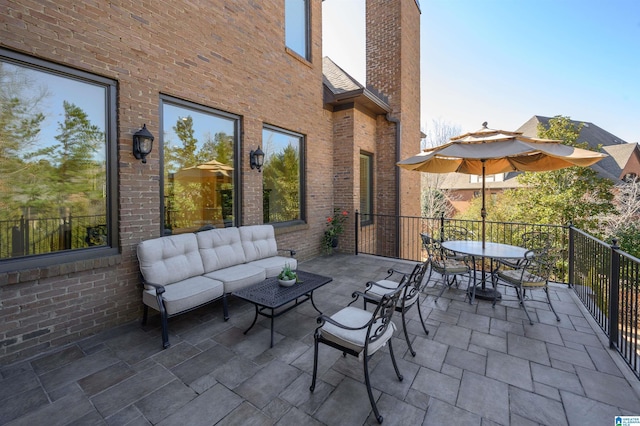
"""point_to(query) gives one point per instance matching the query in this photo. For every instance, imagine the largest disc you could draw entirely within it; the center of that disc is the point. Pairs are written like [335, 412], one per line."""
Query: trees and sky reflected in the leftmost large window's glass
[52, 176]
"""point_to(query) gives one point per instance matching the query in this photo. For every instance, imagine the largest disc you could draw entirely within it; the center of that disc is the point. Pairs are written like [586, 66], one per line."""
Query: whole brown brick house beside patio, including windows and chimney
[212, 82]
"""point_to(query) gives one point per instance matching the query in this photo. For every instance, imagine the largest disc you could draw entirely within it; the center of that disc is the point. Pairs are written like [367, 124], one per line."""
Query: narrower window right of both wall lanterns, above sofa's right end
[282, 175]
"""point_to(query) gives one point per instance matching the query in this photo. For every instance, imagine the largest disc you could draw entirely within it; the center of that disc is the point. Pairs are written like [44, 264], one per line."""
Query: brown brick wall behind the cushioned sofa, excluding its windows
[225, 55]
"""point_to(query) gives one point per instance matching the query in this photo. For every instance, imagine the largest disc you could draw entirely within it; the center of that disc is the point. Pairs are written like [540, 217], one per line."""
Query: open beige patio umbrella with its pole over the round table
[489, 151]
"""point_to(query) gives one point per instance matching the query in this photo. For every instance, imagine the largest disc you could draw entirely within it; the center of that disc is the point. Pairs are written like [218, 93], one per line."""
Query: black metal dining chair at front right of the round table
[532, 274]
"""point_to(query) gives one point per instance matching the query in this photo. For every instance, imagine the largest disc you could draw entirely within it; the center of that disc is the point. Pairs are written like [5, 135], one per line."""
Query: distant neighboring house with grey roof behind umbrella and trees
[623, 163]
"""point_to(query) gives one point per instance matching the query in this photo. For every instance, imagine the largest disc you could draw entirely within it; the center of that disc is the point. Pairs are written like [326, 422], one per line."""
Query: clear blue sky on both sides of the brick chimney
[504, 61]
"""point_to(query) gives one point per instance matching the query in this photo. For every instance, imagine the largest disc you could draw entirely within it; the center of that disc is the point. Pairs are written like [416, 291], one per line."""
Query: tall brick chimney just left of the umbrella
[393, 68]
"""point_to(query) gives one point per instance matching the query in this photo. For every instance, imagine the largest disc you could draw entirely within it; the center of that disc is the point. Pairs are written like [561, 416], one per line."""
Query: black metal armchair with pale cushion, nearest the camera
[359, 333]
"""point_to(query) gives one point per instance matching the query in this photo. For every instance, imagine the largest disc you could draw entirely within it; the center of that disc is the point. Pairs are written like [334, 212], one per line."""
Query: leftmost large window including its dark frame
[57, 160]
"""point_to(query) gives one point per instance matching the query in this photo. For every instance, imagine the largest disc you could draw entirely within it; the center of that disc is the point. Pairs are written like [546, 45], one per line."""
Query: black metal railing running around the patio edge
[604, 278]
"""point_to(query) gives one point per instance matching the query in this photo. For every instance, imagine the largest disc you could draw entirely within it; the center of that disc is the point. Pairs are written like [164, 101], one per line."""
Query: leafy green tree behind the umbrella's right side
[575, 194]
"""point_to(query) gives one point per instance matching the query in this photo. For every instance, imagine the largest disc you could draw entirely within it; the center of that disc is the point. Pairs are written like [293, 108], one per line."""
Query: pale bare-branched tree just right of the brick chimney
[434, 199]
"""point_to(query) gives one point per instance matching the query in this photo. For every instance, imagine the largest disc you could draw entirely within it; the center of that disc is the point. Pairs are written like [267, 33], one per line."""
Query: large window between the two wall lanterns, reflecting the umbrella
[199, 155]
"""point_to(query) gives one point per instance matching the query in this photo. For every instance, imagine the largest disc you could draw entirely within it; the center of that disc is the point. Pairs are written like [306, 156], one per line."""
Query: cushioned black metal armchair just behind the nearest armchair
[410, 296]
